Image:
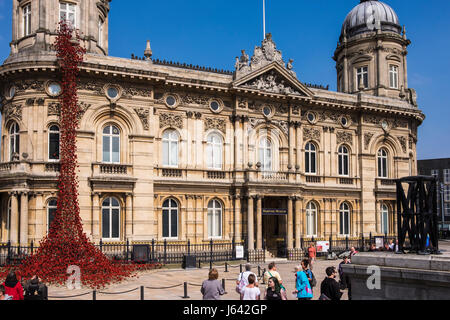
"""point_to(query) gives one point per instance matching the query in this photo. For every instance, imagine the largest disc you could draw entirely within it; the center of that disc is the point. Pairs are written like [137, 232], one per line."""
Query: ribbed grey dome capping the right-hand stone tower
[357, 21]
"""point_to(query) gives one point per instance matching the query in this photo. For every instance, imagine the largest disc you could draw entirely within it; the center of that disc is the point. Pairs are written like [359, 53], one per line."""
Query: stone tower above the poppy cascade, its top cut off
[35, 23]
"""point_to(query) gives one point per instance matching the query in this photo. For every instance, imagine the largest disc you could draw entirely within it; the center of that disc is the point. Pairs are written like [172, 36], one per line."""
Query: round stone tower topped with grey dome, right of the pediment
[371, 52]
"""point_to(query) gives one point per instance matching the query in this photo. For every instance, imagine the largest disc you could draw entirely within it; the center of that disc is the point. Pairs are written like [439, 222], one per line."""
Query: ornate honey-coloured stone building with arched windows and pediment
[177, 152]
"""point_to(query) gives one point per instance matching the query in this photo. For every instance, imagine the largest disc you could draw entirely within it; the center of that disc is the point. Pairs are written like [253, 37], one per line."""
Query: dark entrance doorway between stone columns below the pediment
[274, 214]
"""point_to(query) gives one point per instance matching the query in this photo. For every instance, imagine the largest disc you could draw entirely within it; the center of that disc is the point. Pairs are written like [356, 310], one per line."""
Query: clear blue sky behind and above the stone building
[212, 33]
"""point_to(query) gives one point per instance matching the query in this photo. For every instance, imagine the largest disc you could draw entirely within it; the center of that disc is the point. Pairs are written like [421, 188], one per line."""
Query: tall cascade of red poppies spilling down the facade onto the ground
[66, 244]
